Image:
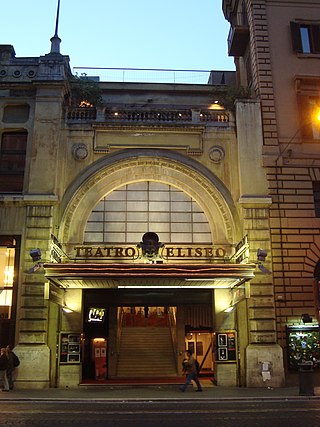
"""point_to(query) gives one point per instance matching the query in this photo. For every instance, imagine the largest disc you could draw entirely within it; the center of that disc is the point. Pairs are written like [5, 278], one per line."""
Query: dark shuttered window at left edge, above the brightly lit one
[12, 161]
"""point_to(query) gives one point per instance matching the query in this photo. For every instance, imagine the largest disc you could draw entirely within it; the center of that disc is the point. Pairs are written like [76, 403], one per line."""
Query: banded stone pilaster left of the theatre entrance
[32, 348]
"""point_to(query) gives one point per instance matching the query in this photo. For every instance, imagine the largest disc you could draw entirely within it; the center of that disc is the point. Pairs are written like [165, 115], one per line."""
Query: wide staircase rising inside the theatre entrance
[146, 352]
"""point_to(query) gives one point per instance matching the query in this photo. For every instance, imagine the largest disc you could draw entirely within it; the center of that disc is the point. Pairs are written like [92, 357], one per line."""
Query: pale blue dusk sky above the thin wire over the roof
[173, 34]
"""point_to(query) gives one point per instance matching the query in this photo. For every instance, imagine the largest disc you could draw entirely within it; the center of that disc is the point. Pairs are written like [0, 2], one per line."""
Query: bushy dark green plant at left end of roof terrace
[85, 92]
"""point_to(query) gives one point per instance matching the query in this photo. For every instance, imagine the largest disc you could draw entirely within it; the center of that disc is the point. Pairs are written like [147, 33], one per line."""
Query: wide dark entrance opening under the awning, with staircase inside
[143, 332]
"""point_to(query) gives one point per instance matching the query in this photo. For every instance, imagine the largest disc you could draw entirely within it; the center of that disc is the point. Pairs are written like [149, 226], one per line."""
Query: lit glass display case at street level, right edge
[303, 345]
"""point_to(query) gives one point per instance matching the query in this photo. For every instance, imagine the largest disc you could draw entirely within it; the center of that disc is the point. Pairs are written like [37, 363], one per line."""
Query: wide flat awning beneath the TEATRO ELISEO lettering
[99, 275]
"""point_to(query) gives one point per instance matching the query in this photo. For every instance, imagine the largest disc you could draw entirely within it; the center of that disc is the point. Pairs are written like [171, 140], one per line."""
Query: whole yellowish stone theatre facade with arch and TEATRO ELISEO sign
[132, 229]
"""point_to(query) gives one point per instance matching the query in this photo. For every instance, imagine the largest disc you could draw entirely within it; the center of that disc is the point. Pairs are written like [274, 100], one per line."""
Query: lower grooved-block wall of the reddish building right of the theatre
[295, 243]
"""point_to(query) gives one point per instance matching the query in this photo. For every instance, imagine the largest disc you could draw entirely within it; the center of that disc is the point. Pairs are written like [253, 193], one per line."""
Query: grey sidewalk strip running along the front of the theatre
[153, 393]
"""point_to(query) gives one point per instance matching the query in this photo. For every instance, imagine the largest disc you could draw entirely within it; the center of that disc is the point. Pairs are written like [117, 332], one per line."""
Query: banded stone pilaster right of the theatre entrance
[261, 306]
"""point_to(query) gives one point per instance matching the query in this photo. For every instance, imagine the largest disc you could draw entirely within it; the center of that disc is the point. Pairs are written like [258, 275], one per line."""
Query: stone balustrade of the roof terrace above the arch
[159, 116]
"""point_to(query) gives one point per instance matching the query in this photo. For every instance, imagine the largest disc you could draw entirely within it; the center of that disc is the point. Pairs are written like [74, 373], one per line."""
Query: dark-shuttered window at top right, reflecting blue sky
[305, 37]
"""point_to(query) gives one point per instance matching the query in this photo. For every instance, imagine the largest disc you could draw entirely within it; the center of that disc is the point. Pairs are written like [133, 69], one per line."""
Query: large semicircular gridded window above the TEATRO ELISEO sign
[134, 209]
